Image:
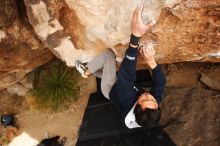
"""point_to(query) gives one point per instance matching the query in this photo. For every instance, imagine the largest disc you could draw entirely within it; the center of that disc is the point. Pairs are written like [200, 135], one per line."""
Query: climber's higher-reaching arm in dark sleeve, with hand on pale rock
[127, 72]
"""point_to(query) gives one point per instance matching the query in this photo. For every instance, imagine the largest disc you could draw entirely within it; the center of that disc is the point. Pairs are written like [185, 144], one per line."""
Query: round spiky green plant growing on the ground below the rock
[55, 86]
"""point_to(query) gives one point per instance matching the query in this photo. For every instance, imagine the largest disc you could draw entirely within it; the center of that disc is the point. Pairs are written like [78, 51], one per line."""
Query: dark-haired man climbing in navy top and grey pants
[137, 107]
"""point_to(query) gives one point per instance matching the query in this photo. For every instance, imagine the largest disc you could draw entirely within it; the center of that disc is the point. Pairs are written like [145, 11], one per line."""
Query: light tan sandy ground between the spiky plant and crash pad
[65, 124]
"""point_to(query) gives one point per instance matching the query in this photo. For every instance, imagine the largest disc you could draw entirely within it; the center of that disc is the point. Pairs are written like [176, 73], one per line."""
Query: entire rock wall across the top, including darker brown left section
[187, 30]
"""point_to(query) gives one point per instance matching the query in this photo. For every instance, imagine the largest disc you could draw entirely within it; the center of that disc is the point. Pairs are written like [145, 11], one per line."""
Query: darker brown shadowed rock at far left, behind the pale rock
[20, 48]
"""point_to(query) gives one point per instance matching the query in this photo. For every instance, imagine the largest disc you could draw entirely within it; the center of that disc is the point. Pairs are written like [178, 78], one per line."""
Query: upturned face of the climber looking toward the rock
[146, 100]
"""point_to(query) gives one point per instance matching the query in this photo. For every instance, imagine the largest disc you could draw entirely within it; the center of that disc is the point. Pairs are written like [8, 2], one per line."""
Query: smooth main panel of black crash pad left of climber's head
[100, 121]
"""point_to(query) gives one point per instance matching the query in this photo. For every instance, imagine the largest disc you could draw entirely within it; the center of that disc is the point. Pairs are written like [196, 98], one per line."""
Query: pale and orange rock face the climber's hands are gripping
[187, 30]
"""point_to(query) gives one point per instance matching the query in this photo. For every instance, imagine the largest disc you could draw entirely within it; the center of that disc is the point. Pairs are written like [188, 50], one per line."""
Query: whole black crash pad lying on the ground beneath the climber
[102, 125]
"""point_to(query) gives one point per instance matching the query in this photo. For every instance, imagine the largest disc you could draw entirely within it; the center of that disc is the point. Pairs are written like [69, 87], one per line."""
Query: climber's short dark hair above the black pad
[147, 117]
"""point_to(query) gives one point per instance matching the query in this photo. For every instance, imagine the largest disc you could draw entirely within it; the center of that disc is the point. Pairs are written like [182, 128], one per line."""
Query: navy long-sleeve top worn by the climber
[124, 94]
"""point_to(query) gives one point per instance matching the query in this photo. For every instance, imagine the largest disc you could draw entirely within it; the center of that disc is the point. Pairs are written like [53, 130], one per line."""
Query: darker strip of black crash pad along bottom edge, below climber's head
[135, 137]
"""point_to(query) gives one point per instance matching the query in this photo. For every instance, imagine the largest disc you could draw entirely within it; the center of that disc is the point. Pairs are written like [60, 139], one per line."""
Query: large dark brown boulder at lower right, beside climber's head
[198, 111]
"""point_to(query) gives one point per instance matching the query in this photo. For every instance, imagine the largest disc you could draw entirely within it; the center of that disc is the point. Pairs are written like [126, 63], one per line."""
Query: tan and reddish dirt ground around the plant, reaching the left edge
[37, 123]
